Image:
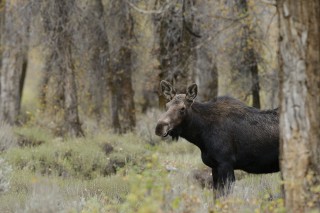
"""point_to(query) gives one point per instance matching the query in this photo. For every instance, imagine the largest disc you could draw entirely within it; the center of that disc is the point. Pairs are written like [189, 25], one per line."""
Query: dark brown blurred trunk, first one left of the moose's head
[120, 76]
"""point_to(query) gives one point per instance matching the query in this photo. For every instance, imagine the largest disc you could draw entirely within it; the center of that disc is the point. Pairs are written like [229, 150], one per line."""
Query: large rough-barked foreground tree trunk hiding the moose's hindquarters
[300, 103]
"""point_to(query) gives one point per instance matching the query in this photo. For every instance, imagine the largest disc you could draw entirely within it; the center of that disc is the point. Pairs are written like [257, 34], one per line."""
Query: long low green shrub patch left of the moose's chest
[84, 158]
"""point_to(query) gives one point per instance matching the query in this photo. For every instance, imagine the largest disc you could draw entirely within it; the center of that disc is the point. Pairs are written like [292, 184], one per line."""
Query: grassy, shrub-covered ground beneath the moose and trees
[105, 172]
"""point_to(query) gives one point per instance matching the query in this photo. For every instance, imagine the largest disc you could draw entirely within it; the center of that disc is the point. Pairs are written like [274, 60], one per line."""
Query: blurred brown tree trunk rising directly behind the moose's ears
[176, 39]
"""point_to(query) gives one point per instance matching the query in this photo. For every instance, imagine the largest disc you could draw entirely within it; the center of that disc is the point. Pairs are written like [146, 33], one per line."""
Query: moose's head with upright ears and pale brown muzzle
[177, 109]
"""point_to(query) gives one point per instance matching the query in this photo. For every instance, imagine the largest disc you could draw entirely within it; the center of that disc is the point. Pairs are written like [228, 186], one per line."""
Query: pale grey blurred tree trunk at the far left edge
[14, 61]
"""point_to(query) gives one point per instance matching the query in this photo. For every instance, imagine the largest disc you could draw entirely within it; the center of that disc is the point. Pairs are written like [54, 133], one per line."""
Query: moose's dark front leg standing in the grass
[223, 177]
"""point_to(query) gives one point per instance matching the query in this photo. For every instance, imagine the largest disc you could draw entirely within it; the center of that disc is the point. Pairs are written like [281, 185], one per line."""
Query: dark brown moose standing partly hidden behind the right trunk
[229, 134]
